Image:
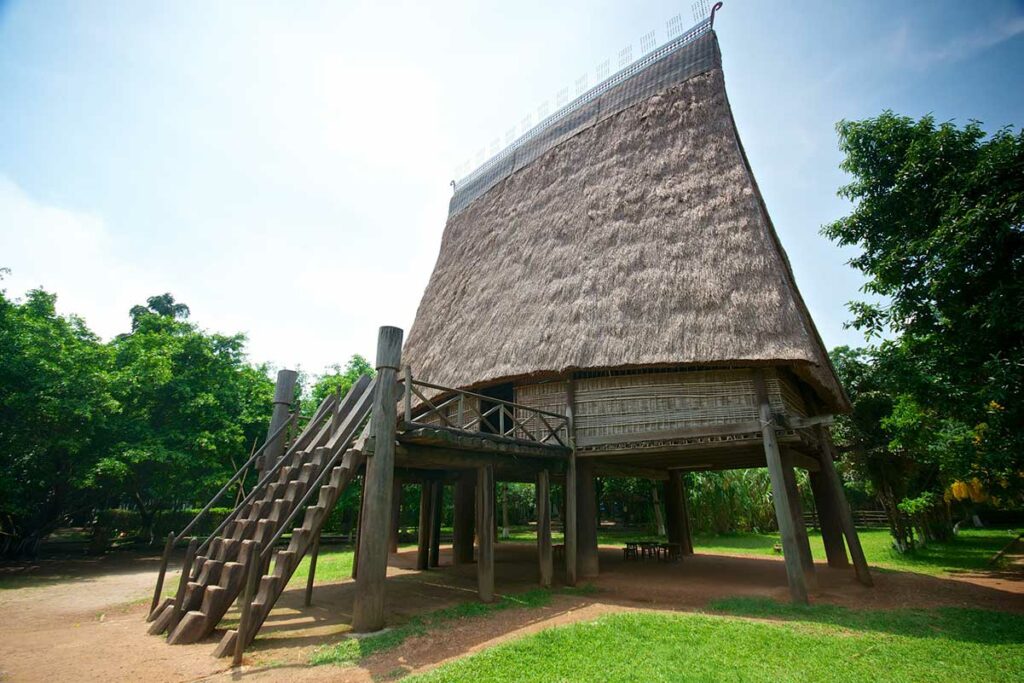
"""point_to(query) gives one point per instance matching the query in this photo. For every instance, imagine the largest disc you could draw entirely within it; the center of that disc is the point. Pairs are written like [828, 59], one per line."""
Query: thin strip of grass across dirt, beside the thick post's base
[353, 651]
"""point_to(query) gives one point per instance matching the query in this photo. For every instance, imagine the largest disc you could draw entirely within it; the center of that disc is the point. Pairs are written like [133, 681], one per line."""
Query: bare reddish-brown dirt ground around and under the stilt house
[84, 620]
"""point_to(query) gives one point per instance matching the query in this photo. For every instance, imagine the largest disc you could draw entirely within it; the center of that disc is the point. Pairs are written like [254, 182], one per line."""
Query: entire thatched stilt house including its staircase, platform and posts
[611, 300]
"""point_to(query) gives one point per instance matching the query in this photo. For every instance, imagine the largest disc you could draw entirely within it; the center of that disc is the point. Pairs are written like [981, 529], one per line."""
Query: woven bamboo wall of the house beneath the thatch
[631, 404]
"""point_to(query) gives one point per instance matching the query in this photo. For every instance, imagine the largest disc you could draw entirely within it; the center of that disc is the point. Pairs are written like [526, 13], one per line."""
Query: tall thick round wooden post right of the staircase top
[368, 613]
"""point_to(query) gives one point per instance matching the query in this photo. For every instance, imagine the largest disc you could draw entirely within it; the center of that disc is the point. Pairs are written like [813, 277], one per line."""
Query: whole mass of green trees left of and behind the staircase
[153, 421]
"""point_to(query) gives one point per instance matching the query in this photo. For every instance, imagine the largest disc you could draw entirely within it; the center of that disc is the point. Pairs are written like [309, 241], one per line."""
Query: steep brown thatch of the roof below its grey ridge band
[638, 240]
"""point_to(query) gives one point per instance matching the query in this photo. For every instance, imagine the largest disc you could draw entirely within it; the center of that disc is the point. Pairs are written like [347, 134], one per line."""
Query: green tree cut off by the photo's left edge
[55, 409]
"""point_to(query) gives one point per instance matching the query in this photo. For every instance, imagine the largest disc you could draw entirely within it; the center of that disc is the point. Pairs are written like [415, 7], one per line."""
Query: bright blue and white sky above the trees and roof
[284, 167]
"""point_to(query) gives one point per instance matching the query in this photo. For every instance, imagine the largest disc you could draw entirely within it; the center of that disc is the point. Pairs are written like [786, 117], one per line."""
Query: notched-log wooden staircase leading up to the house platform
[324, 461]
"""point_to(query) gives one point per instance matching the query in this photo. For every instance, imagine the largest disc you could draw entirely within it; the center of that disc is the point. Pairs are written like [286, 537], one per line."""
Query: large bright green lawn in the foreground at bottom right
[808, 645]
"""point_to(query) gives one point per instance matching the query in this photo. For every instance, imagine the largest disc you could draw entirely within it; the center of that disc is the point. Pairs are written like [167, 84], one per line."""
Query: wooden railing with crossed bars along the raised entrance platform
[464, 411]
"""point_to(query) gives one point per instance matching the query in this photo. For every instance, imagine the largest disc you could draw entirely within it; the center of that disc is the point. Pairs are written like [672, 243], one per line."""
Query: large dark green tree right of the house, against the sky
[940, 222]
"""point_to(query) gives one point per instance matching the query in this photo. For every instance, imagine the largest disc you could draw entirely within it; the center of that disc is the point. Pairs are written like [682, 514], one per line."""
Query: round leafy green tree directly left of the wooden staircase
[191, 408]
